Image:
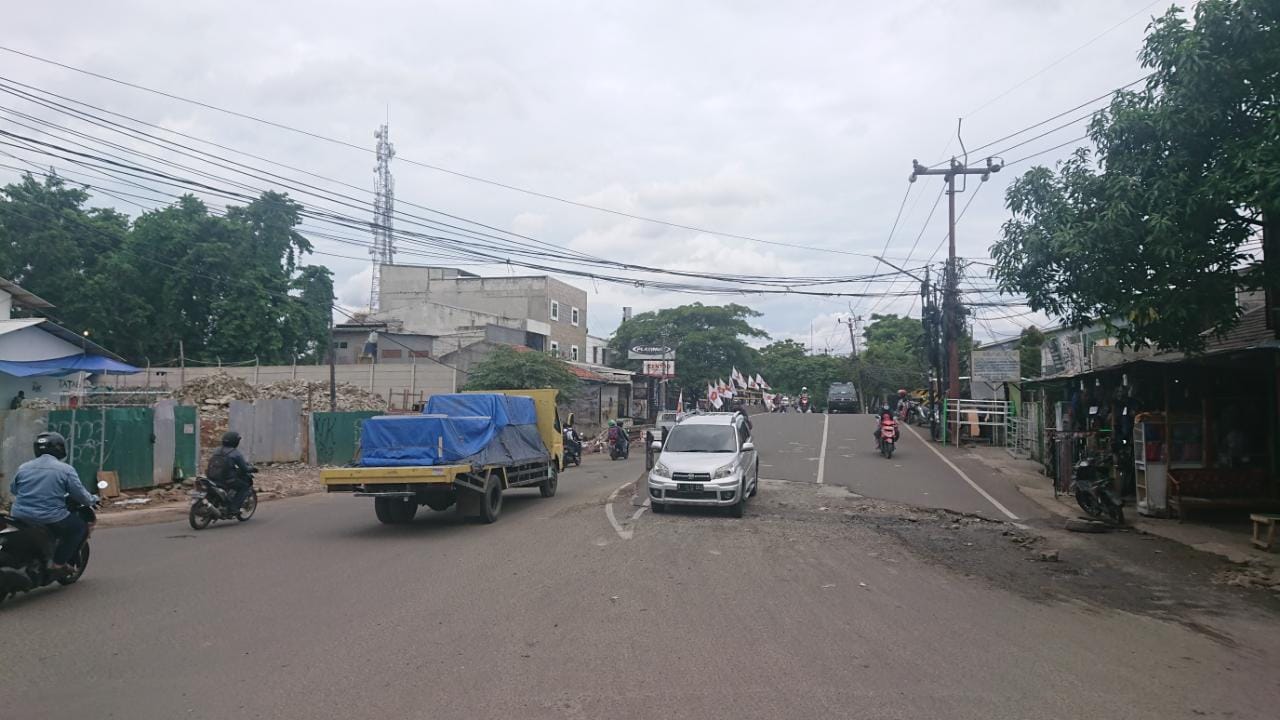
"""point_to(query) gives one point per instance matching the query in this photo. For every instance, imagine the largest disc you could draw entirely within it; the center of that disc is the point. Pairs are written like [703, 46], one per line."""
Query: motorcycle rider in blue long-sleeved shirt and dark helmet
[40, 490]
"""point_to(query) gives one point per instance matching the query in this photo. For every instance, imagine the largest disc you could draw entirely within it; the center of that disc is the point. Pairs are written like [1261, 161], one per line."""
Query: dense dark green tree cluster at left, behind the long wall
[228, 288]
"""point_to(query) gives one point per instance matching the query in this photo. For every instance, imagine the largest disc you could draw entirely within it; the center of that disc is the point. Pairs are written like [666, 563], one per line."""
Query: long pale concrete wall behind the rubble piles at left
[427, 376]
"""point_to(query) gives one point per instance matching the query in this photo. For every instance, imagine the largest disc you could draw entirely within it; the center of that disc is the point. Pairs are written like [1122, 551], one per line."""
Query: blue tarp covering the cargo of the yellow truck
[477, 430]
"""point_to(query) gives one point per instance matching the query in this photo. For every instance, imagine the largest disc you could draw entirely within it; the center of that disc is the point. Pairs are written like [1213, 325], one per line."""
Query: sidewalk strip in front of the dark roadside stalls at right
[1231, 541]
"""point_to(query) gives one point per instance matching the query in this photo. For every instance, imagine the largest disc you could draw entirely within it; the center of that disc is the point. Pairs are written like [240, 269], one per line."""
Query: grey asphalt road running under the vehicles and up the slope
[819, 604]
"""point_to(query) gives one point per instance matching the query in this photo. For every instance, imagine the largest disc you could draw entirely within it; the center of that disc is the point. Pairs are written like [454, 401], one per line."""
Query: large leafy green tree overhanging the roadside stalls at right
[1148, 234]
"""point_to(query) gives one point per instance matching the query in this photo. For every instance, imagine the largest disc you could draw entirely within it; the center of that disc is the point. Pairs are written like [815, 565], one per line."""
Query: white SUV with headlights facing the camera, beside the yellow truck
[707, 461]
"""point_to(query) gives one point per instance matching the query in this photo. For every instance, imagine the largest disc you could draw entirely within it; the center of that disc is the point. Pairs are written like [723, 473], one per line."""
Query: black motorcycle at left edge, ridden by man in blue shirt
[28, 552]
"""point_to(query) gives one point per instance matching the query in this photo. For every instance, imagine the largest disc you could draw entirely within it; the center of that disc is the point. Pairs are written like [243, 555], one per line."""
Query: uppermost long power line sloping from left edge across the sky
[422, 165]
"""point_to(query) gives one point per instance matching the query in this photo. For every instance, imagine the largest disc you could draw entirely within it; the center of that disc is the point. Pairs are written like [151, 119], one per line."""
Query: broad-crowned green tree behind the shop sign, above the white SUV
[708, 341]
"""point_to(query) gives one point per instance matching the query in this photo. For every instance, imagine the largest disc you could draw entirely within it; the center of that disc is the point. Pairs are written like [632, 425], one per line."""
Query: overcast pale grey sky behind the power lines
[789, 122]
